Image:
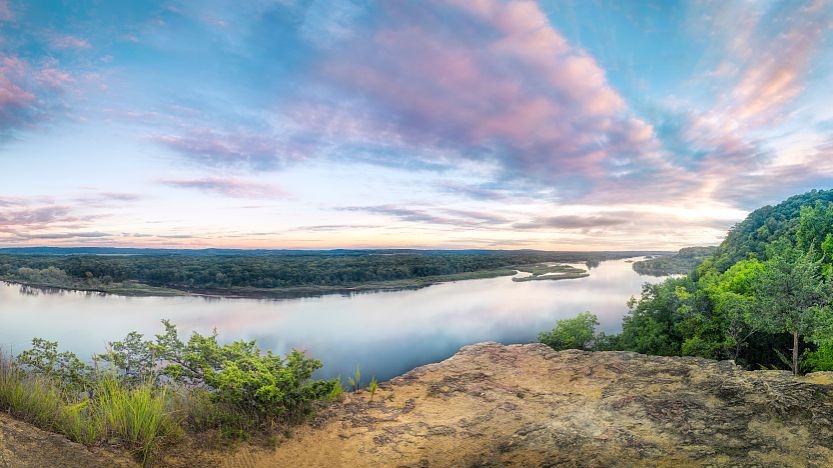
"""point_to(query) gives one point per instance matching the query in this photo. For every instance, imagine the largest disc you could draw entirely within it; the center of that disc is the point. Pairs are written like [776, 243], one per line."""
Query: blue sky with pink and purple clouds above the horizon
[317, 124]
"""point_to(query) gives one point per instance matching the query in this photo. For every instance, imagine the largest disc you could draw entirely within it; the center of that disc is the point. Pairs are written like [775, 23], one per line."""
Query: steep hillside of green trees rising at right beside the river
[762, 299]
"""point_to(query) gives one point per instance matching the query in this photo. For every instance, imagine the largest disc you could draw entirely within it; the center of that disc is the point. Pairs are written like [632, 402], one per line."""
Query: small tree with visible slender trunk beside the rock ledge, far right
[790, 293]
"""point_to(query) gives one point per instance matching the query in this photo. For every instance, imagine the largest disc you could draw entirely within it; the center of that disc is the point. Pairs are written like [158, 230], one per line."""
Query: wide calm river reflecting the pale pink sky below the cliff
[385, 333]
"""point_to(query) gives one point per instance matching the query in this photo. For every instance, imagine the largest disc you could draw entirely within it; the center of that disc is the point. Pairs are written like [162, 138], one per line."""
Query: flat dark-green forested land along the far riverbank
[280, 273]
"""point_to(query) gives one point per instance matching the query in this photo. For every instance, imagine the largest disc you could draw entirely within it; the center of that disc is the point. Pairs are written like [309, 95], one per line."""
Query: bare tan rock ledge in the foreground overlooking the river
[527, 405]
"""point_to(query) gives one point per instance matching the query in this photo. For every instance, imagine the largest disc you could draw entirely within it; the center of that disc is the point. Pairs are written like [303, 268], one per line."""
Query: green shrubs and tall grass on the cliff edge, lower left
[146, 393]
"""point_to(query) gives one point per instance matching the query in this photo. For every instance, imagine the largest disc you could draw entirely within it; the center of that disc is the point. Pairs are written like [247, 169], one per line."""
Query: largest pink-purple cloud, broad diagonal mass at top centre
[497, 81]
